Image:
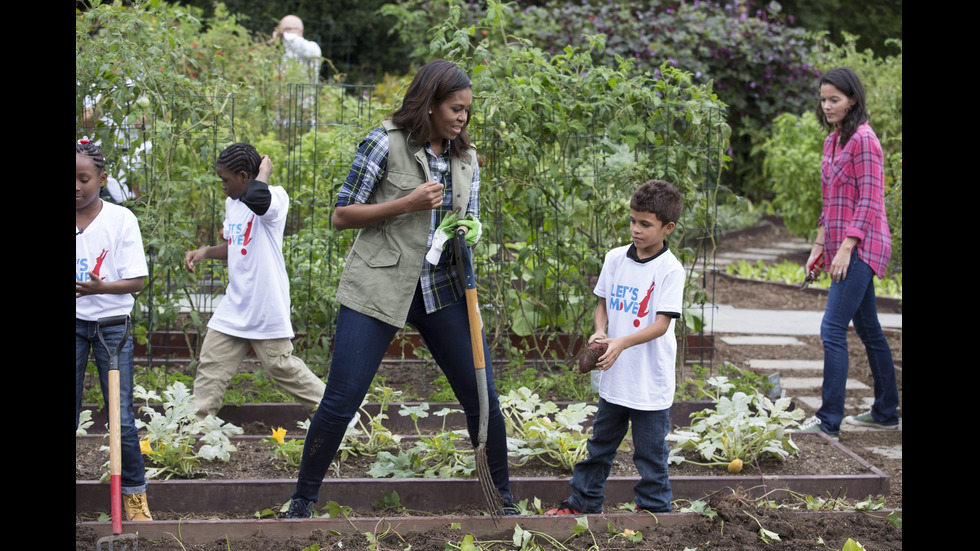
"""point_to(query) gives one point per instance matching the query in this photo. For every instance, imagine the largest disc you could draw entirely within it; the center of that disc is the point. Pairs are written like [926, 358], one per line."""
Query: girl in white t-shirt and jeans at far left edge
[109, 268]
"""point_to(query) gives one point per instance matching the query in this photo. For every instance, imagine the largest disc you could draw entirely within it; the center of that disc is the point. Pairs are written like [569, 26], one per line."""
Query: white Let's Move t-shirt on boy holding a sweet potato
[636, 291]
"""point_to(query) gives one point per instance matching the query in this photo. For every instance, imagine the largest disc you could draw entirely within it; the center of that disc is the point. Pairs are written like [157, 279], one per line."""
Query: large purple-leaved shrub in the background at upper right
[758, 62]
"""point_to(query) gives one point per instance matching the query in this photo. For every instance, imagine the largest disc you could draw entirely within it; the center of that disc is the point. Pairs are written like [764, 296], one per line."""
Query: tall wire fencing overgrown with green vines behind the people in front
[548, 222]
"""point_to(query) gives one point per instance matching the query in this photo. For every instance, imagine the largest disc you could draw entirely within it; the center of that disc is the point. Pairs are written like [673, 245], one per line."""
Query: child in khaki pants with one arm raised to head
[255, 309]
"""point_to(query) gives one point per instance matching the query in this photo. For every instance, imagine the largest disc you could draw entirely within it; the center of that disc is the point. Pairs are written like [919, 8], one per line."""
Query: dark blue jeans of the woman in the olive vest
[359, 346]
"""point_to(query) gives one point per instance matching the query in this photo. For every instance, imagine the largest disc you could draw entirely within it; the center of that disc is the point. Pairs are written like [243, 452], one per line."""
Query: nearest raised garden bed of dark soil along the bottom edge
[670, 531]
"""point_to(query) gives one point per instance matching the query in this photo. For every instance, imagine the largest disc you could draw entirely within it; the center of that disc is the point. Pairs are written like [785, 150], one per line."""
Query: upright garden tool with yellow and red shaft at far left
[115, 441]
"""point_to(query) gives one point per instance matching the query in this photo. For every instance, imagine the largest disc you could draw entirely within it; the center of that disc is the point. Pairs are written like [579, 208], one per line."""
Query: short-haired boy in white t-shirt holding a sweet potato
[640, 292]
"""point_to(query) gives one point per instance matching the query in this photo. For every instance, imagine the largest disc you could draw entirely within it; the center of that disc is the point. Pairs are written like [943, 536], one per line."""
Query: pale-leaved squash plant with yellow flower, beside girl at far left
[171, 436]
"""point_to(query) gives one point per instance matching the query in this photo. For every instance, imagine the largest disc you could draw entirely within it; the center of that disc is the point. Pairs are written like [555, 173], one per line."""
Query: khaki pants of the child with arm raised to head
[222, 355]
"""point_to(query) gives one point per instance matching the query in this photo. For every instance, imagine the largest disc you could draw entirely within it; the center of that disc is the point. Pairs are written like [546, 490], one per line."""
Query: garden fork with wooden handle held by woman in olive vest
[464, 268]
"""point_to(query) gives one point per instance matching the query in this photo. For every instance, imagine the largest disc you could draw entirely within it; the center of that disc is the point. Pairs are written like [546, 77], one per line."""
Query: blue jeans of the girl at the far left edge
[133, 476]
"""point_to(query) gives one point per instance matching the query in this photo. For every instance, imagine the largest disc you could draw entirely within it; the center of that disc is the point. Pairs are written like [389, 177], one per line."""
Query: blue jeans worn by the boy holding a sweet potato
[650, 430]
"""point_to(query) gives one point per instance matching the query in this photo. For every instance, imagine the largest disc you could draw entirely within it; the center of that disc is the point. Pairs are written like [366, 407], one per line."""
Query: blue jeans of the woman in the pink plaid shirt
[853, 298]
